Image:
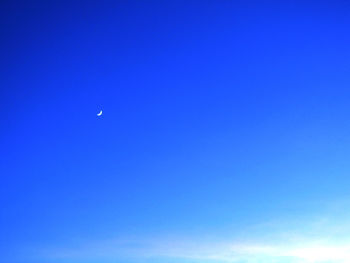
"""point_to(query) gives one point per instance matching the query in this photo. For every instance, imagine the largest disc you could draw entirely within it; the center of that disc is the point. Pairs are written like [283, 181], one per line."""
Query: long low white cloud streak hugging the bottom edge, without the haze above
[312, 251]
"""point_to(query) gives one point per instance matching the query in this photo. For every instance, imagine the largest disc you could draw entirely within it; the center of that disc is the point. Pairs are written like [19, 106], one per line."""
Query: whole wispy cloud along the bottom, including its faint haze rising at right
[322, 240]
